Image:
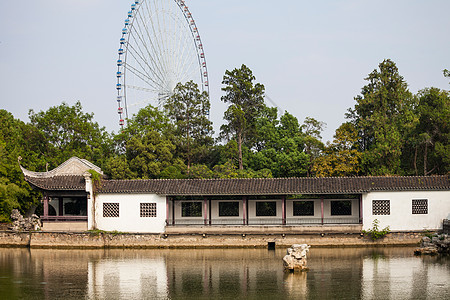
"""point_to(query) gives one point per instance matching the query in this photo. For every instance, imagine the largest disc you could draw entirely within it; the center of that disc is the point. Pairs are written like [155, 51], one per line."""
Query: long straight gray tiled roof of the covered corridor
[274, 186]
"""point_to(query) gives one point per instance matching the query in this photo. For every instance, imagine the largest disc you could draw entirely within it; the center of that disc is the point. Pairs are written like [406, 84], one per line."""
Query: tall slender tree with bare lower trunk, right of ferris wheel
[246, 101]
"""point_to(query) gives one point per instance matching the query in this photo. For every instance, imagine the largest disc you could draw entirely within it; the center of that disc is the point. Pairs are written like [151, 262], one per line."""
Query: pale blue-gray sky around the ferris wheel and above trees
[312, 56]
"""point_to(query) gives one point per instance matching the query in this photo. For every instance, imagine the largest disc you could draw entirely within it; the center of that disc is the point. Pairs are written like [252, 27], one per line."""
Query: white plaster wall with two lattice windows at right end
[401, 217]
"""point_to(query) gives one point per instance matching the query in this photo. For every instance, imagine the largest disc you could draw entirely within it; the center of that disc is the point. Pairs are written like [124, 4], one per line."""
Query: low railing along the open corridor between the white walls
[264, 221]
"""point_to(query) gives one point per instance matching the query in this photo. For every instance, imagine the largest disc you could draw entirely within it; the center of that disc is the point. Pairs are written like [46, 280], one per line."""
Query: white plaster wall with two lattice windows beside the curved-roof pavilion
[129, 219]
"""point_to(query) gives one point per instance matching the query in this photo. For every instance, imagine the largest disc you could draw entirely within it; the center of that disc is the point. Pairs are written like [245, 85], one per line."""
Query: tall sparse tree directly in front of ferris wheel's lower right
[187, 108]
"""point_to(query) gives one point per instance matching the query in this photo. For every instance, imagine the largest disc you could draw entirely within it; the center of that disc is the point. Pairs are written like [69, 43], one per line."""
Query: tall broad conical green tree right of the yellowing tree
[383, 115]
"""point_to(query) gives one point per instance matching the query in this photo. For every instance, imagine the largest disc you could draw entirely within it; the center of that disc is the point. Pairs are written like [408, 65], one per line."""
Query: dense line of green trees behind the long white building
[390, 131]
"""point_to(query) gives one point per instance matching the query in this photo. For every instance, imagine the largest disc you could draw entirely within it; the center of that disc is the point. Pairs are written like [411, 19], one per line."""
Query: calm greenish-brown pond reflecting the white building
[335, 273]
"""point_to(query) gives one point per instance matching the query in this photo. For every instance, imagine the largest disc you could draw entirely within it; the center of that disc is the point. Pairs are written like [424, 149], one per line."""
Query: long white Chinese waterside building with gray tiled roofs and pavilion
[153, 206]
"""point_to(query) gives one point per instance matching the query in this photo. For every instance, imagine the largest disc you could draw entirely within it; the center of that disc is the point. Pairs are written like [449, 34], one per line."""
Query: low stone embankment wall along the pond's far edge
[116, 240]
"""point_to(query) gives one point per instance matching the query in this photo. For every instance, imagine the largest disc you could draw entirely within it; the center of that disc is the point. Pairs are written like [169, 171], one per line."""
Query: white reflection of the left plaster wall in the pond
[117, 278]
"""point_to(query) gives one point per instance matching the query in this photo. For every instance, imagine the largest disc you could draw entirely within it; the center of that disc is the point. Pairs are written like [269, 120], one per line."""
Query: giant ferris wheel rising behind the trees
[160, 47]
